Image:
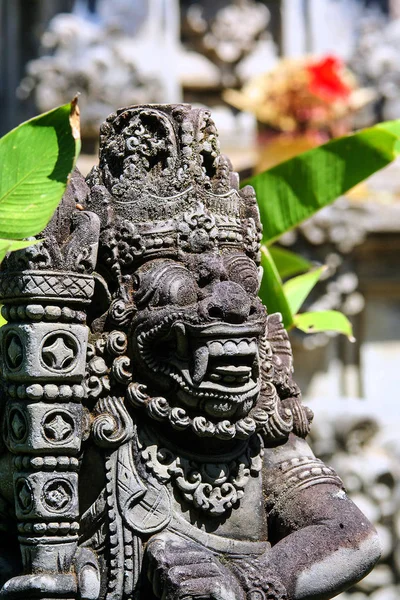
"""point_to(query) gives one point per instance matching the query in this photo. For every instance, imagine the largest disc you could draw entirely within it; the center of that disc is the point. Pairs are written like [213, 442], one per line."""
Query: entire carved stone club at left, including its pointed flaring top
[43, 349]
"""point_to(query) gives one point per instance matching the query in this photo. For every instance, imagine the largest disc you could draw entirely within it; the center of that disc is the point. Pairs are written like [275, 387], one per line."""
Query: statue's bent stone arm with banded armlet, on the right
[322, 543]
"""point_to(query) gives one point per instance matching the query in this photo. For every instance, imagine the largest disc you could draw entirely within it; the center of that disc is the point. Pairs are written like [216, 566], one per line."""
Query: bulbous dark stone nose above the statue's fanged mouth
[228, 302]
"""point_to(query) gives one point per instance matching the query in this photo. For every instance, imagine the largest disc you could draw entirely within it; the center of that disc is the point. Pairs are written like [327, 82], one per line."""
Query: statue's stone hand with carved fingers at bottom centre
[180, 569]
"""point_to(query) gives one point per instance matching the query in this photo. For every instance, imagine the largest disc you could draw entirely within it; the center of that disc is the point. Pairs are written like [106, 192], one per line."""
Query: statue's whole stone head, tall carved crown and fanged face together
[180, 244]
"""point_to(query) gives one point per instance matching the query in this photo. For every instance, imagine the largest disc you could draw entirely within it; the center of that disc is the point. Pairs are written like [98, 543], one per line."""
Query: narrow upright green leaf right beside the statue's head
[271, 290]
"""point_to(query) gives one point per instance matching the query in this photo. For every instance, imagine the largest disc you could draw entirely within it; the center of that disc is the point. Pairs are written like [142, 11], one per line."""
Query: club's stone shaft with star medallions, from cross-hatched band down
[44, 346]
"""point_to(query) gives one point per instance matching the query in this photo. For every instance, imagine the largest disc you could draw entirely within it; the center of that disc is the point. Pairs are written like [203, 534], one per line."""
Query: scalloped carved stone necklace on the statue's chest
[212, 487]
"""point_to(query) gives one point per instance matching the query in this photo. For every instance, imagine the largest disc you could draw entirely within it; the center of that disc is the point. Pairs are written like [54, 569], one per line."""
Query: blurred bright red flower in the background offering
[325, 80]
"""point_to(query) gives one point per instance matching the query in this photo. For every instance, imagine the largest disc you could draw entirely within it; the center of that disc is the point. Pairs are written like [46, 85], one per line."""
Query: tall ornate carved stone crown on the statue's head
[163, 187]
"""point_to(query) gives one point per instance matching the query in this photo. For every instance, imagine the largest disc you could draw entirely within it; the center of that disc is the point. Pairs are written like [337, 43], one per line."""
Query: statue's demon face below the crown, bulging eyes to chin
[196, 331]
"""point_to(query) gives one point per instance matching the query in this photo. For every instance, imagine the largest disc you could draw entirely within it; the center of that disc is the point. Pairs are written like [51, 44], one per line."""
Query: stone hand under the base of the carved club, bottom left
[84, 584]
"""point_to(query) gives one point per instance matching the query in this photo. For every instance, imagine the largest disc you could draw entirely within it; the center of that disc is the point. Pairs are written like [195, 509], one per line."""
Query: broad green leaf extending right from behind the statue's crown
[295, 189]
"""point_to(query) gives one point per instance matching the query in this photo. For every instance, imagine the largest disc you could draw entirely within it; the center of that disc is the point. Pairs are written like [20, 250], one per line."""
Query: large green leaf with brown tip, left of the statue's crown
[36, 159]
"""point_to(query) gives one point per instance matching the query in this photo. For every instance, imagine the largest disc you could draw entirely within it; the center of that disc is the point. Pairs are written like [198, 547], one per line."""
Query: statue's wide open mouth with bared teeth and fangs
[215, 364]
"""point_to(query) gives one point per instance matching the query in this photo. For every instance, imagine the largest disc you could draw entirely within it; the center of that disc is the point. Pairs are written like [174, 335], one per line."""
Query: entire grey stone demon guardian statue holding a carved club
[153, 438]
